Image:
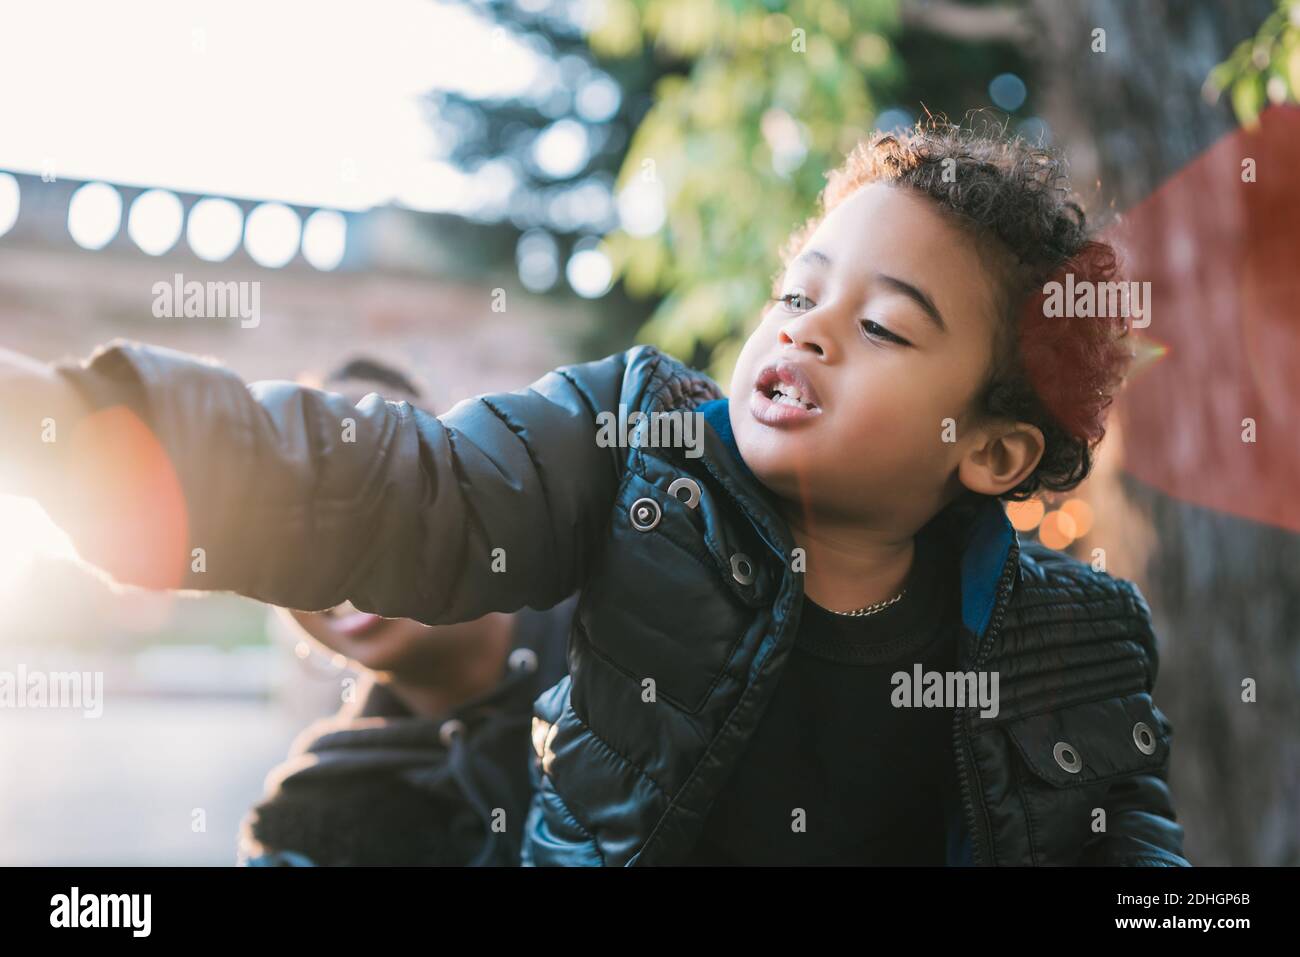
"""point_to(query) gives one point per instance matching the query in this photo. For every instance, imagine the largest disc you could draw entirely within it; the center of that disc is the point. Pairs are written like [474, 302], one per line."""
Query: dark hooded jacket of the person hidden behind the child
[379, 785]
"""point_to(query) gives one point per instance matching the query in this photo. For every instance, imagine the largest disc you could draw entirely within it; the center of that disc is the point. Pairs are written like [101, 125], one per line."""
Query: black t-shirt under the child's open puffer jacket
[870, 780]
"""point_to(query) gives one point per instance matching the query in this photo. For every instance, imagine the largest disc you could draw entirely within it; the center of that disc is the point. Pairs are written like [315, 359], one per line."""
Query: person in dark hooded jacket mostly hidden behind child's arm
[427, 763]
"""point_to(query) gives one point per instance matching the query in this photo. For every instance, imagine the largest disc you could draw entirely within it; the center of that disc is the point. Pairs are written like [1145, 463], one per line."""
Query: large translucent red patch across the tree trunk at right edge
[1224, 343]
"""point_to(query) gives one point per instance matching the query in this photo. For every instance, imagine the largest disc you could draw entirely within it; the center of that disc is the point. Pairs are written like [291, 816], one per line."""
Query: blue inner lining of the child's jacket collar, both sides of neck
[982, 531]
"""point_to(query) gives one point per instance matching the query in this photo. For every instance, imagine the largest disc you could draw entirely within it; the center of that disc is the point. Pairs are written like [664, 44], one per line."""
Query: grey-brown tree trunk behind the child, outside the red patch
[1225, 591]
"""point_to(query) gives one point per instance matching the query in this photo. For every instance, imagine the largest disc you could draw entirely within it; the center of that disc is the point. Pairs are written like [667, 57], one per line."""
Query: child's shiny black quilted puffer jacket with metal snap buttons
[686, 578]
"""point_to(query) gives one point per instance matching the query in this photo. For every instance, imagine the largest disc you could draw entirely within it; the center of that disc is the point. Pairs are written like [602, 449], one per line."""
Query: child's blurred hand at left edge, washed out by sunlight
[40, 409]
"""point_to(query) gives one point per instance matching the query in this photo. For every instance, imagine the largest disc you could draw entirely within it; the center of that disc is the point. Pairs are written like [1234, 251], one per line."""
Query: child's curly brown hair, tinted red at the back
[1058, 374]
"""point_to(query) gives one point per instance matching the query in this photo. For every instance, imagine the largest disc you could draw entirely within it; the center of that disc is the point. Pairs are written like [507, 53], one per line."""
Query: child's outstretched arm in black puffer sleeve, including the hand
[171, 473]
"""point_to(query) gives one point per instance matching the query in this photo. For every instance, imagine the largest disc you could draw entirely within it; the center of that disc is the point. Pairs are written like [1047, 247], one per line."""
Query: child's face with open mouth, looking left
[873, 449]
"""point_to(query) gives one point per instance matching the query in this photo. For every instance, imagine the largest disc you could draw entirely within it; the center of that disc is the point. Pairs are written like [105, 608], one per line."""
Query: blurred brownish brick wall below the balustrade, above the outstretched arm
[60, 302]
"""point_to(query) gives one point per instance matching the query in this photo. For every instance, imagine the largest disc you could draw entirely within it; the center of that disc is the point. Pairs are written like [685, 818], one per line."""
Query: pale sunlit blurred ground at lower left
[122, 790]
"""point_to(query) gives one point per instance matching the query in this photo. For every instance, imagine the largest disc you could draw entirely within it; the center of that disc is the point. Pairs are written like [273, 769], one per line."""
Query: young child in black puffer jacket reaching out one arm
[749, 666]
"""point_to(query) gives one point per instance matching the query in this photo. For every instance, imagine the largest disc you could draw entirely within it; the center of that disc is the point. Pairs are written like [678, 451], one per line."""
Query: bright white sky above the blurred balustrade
[306, 102]
